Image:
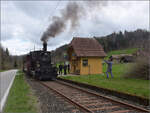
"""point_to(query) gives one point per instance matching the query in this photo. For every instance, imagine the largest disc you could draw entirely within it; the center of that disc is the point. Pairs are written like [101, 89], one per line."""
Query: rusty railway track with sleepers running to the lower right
[90, 102]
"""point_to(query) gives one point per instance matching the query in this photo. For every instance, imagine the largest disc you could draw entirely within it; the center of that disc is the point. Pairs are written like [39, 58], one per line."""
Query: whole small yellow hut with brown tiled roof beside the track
[85, 56]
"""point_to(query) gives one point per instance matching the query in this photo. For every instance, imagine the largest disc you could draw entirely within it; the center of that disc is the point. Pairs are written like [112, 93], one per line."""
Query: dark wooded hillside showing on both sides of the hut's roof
[115, 41]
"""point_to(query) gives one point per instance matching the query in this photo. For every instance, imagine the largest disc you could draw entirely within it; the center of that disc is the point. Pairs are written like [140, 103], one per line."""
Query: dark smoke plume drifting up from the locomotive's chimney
[72, 12]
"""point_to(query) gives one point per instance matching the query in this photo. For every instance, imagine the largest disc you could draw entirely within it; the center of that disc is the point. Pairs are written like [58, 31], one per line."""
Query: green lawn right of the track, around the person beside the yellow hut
[137, 87]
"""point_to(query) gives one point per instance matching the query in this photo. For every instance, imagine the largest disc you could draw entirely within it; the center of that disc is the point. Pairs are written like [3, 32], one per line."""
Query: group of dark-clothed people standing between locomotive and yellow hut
[63, 68]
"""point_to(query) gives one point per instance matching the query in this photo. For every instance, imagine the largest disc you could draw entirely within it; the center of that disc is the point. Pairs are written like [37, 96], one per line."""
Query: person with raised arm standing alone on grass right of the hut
[109, 67]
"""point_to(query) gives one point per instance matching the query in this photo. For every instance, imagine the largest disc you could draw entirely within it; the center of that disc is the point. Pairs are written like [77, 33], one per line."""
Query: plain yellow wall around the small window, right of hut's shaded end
[94, 66]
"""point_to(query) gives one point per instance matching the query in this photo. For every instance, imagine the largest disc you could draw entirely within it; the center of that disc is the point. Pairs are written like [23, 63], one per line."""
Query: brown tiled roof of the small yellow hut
[87, 47]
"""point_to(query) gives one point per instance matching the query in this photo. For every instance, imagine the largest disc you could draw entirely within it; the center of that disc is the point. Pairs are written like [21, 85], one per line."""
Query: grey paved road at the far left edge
[5, 82]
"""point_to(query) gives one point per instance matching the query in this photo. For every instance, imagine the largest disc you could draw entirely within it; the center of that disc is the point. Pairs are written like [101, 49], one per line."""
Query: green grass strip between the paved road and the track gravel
[20, 98]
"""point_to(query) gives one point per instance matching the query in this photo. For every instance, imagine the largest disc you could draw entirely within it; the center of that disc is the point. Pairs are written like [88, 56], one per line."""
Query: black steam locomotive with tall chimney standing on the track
[37, 64]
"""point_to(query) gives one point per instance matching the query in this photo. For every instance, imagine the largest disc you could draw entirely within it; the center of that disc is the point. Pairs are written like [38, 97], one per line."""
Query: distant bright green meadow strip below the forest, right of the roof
[125, 51]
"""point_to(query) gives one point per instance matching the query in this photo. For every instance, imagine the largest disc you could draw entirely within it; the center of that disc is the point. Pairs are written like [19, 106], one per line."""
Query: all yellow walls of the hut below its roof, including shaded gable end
[76, 64]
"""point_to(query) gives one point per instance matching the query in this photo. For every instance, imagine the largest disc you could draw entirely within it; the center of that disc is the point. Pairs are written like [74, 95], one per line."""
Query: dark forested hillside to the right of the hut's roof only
[132, 39]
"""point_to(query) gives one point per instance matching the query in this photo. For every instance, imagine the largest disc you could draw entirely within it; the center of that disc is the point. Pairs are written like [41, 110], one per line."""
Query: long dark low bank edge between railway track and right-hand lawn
[109, 92]
